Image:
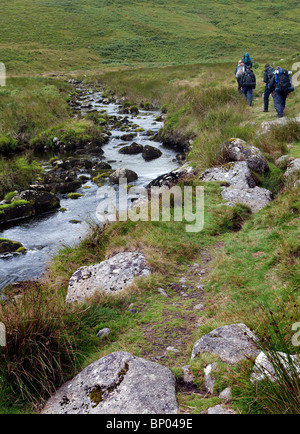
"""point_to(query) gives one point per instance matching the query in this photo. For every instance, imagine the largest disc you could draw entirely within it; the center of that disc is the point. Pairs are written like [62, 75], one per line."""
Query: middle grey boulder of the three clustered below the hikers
[237, 174]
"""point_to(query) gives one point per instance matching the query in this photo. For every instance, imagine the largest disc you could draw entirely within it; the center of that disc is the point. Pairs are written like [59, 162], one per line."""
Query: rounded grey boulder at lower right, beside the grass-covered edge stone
[232, 344]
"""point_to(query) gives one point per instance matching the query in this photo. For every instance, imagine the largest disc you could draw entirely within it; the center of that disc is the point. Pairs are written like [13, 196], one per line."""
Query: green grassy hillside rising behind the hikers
[42, 35]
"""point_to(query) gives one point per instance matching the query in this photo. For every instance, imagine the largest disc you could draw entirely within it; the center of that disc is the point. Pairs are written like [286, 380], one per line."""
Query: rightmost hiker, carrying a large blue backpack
[281, 86]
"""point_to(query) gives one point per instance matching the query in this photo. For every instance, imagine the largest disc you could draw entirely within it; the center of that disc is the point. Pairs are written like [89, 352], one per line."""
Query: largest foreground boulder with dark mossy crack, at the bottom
[117, 384]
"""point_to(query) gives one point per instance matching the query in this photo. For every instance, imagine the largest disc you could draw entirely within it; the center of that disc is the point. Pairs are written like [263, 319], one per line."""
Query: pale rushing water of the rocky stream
[45, 235]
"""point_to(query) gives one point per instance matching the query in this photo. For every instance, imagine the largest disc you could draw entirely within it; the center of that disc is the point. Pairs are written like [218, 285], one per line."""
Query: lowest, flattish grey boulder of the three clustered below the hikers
[256, 198]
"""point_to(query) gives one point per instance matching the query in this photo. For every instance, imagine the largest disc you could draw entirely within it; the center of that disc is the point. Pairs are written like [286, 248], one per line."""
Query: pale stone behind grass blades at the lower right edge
[265, 369]
